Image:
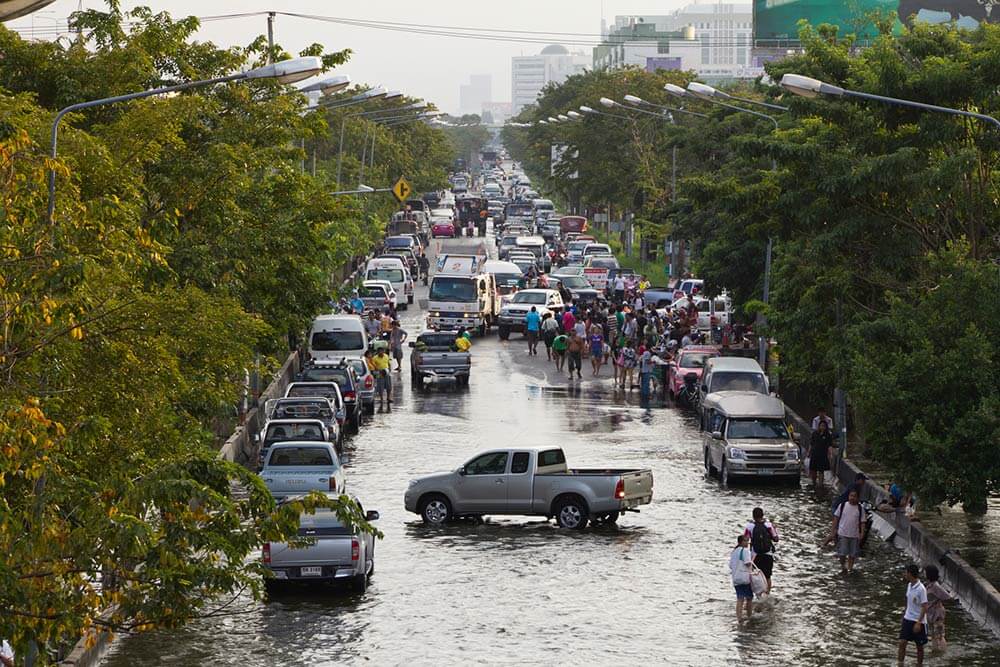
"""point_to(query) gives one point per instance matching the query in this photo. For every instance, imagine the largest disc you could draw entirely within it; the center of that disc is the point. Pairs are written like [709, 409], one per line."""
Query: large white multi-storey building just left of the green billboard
[712, 39]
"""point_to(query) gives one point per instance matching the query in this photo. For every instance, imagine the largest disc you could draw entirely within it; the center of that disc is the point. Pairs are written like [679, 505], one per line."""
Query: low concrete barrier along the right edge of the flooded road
[978, 596]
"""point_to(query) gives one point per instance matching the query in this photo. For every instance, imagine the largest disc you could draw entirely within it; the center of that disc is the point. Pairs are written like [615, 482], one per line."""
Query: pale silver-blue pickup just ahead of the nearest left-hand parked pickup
[297, 467]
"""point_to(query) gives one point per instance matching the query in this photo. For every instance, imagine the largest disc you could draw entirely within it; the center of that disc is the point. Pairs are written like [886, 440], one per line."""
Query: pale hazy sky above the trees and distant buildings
[427, 66]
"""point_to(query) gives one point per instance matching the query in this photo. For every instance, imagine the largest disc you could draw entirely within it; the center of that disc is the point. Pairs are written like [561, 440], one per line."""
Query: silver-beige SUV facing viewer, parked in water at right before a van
[746, 435]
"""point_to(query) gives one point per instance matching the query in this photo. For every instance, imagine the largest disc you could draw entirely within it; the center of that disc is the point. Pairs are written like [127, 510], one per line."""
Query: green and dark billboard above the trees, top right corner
[775, 22]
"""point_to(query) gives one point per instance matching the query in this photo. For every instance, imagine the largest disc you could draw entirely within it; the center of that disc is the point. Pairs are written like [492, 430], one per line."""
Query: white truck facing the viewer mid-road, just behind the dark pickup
[462, 295]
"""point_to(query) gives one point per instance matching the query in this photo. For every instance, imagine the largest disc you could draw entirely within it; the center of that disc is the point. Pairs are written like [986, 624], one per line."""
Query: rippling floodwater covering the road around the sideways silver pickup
[654, 589]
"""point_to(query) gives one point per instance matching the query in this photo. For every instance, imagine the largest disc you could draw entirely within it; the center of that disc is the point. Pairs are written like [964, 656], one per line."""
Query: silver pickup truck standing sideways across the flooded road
[529, 481]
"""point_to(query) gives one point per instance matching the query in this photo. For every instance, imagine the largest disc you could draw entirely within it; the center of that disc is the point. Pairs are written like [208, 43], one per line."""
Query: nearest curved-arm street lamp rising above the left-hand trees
[286, 71]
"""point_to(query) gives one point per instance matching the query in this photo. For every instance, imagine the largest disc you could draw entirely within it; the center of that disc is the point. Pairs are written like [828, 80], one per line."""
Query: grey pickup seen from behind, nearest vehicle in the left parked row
[335, 553]
